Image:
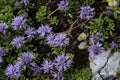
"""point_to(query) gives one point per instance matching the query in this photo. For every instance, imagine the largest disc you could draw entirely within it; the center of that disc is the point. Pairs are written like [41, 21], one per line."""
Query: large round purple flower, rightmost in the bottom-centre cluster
[62, 62]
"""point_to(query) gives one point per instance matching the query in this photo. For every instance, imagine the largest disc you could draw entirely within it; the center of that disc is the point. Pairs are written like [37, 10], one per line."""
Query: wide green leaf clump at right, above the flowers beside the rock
[105, 26]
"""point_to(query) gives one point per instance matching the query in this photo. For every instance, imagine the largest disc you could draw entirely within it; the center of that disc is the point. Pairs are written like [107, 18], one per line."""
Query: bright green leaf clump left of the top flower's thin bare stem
[41, 14]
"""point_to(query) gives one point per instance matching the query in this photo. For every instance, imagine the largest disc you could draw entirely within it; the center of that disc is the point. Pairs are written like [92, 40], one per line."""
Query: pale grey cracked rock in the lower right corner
[105, 66]
